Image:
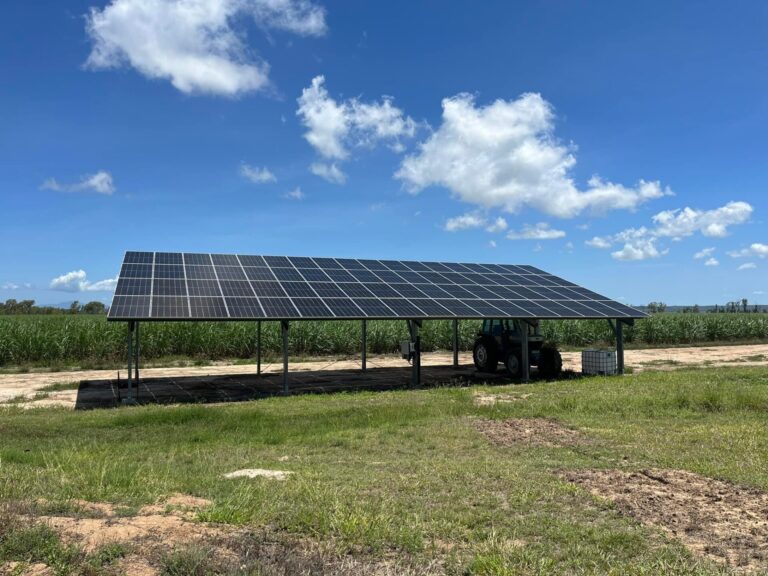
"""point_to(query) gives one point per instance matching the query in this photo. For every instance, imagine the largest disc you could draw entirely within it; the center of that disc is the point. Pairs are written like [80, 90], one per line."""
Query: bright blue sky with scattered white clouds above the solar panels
[570, 136]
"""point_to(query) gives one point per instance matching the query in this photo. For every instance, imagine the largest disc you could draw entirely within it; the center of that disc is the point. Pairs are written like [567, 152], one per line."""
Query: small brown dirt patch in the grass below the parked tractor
[529, 432]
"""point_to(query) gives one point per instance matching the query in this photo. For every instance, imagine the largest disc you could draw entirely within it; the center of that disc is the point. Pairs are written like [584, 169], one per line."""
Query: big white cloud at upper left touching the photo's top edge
[195, 44]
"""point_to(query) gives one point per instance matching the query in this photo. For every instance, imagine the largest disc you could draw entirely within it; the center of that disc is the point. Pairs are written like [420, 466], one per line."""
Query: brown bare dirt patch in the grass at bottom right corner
[715, 519]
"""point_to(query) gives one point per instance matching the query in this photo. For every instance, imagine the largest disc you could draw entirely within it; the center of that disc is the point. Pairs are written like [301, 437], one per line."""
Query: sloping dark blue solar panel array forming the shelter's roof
[181, 286]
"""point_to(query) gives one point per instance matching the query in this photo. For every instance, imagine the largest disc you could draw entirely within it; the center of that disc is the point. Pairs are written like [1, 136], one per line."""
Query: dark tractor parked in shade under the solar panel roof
[500, 340]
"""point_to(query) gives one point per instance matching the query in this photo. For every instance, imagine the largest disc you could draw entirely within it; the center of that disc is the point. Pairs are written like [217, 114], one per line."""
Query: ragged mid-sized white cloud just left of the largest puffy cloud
[335, 127]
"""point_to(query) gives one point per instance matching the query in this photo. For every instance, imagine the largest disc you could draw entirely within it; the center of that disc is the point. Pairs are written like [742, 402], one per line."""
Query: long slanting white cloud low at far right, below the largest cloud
[643, 243]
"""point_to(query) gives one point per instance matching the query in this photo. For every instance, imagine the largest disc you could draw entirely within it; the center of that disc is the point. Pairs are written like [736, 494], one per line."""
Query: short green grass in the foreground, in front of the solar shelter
[404, 477]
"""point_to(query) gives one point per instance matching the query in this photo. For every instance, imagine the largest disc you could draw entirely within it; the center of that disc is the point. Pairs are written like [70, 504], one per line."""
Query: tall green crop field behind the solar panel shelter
[92, 341]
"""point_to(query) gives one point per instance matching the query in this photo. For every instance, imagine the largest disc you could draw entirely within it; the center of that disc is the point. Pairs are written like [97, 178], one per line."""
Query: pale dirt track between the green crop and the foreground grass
[15, 386]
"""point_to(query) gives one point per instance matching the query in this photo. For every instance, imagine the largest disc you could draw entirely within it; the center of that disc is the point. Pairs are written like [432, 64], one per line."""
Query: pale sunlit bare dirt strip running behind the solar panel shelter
[28, 389]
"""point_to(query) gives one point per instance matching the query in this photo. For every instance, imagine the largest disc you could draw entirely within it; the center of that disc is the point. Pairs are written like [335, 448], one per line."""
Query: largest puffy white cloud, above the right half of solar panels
[505, 155]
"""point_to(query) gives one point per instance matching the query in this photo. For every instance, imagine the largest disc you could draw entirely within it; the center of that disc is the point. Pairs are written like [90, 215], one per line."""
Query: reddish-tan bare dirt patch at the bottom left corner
[170, 527]
